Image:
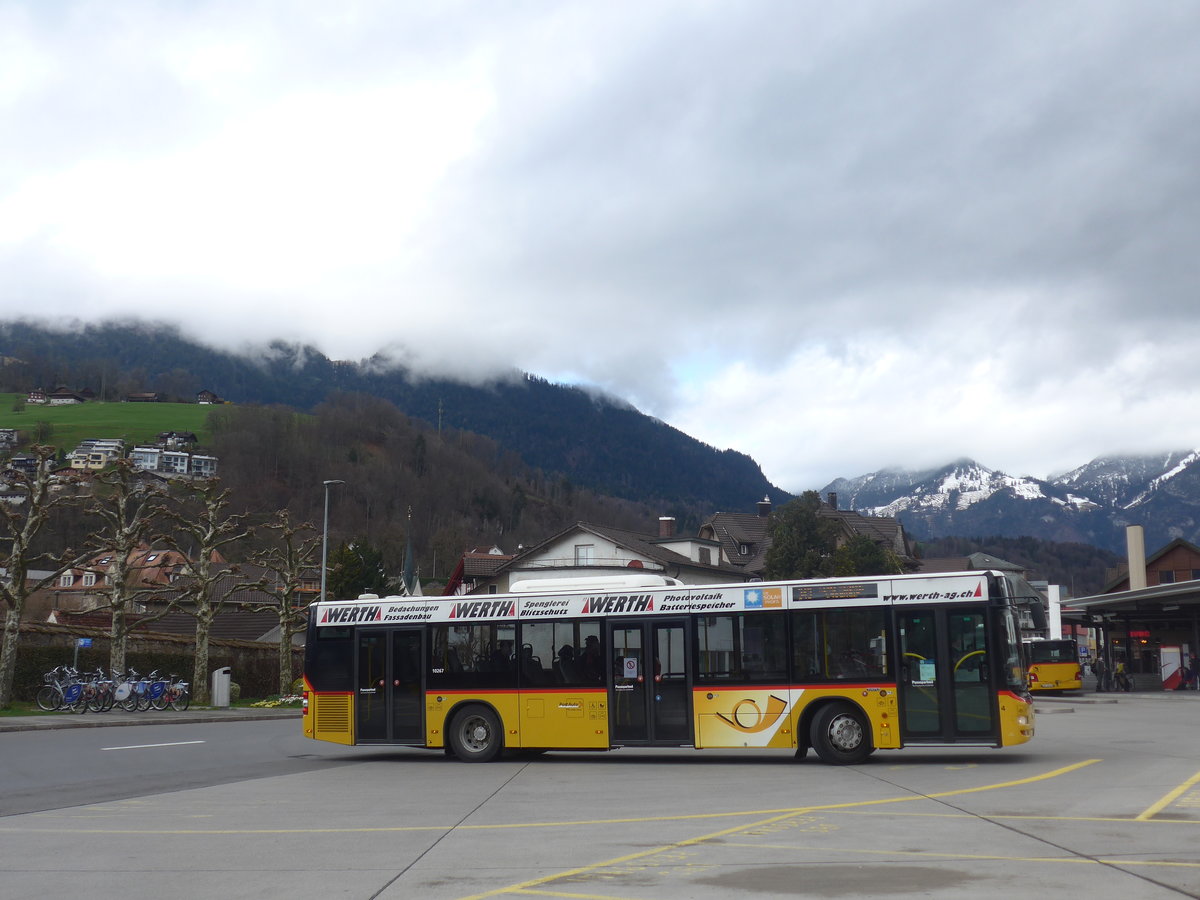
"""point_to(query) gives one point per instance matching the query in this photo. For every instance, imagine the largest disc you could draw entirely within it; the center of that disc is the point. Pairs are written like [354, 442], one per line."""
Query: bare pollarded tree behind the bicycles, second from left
[129, 513]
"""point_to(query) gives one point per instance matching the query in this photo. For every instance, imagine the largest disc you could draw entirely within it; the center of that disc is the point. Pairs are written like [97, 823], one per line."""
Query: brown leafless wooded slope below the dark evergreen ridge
[449, 493]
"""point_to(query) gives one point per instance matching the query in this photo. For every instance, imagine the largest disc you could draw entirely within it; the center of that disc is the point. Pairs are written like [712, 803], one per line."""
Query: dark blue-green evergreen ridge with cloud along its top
[596, 442]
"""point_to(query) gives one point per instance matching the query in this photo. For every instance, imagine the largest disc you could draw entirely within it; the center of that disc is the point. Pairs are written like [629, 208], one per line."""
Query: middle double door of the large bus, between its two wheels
[650, 693]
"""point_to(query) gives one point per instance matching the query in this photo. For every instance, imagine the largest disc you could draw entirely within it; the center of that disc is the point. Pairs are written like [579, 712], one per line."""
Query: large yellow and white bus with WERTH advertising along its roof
[844, 667]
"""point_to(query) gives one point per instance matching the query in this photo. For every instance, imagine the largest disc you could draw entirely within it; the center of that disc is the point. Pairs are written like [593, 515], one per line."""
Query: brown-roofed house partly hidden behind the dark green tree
[745, 538]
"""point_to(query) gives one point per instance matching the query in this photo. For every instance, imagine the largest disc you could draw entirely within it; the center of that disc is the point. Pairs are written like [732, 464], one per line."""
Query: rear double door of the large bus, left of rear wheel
[389, 699]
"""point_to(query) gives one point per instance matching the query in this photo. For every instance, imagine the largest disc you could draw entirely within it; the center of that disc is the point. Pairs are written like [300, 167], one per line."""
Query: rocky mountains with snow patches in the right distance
[1091, 505]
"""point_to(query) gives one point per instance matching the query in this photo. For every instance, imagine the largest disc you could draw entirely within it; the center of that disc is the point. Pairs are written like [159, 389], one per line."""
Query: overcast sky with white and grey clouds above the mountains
[836, 237]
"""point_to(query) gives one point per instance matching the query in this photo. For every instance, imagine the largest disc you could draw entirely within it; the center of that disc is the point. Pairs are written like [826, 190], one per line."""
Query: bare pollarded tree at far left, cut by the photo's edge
[22, 524]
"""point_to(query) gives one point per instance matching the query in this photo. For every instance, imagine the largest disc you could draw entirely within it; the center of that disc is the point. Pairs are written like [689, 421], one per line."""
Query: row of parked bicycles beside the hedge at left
[97, 692]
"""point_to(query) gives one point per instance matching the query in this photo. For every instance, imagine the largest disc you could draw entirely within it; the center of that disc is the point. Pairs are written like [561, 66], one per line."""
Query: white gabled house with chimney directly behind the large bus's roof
[599, 553]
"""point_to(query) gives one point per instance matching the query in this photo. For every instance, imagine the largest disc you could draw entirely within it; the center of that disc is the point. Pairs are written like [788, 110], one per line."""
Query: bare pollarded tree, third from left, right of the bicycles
[205, 526]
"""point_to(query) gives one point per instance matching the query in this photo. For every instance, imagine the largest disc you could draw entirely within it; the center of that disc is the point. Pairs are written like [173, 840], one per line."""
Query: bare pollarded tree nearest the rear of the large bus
[286, 563]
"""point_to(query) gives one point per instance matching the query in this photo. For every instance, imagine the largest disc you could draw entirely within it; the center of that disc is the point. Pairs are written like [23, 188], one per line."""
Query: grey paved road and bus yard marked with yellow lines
[1105, 803]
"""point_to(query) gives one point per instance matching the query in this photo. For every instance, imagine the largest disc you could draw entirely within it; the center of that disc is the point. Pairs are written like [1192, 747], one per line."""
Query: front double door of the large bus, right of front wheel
[946, 676]
